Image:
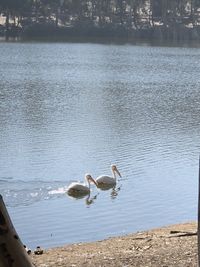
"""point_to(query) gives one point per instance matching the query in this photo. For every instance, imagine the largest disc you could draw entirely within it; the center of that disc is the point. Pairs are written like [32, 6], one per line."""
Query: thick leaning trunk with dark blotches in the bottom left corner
[12, 252]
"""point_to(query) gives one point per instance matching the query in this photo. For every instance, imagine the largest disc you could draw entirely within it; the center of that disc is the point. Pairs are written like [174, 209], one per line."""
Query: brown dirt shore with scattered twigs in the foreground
[169, 246]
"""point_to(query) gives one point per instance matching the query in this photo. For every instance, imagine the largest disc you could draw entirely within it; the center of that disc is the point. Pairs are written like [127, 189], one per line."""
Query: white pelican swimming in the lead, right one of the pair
[105, 180]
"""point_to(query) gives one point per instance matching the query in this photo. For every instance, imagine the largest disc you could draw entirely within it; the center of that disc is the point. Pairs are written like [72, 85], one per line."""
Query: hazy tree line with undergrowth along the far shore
[90, 17]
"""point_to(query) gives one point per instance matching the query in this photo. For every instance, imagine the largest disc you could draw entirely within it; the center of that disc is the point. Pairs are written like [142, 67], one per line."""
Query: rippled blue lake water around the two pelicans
[69, 109]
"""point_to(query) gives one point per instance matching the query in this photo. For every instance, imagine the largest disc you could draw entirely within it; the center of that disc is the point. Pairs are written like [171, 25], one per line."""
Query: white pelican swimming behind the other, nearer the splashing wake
[77, 188]
